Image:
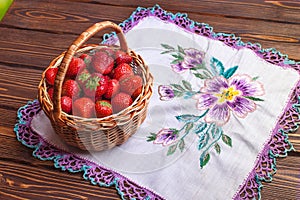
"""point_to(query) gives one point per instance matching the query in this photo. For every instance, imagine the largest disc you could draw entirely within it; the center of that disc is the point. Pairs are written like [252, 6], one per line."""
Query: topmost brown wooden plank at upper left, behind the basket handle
[61, 16]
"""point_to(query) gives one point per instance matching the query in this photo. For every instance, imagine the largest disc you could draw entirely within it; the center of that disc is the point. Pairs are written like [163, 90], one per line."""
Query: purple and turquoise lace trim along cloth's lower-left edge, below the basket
[98, 175]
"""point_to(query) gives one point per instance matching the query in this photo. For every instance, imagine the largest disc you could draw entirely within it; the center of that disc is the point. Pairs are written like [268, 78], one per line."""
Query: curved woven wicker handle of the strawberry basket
[83, 38]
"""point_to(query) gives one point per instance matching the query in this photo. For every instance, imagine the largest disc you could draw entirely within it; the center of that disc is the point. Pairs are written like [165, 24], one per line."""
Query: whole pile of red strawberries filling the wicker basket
[97, 84]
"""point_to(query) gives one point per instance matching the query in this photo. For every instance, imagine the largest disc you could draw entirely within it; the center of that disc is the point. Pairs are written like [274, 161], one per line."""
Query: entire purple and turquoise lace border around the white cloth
[277, 146]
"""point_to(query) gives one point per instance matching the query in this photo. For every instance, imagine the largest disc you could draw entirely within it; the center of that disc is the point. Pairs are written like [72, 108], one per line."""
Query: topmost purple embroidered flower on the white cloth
[192, 59]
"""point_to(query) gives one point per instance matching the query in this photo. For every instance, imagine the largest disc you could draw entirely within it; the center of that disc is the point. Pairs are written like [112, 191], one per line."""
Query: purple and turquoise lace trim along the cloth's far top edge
[181, 20]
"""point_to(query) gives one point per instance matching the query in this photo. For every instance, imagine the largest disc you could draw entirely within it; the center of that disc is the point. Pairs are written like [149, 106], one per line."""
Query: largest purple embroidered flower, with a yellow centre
[221, 96]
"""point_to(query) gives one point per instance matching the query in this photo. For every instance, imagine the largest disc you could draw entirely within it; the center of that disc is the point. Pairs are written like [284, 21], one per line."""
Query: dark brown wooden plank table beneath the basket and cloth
[34, 32]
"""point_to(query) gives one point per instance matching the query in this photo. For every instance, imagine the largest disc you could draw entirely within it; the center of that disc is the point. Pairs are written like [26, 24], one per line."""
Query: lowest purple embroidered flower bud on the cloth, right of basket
[166, 136]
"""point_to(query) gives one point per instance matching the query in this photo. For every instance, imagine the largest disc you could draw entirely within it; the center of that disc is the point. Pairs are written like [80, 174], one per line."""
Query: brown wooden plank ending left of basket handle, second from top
[33, 50]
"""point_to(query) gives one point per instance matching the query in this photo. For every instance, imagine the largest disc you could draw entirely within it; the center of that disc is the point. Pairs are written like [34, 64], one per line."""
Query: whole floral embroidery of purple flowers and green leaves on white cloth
[222, 93]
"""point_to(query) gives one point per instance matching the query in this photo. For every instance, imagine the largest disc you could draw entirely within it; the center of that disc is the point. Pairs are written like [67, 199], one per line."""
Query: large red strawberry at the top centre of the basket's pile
[102, 62]
